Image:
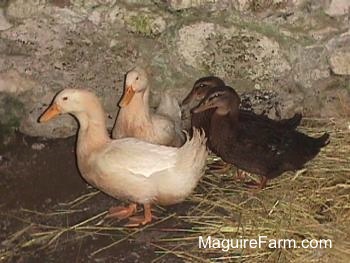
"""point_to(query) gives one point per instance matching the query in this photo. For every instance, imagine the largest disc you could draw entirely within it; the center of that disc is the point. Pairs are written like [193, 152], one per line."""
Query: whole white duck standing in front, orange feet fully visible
[129, 168]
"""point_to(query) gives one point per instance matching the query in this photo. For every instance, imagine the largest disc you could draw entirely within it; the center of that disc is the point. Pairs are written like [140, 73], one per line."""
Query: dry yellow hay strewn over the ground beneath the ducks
[309, 204]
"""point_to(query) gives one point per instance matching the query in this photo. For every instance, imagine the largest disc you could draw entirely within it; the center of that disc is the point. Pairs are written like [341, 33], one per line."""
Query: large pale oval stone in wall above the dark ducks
[231, 53]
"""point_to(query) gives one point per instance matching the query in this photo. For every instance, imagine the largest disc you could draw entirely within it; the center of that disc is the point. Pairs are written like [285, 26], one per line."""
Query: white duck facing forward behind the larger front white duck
[135, 119]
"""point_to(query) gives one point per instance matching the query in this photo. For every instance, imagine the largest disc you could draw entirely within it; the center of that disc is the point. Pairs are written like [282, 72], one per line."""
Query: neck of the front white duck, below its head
[92, 132]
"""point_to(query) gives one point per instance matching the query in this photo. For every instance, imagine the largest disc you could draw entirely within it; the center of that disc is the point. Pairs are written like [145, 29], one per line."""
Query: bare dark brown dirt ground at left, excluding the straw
[35, 183]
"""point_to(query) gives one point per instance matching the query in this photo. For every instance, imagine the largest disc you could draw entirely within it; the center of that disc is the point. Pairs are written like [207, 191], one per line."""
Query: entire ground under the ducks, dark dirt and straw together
[49, 214]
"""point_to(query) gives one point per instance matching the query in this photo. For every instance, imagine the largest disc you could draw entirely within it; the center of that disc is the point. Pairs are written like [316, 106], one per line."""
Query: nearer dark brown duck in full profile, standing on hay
[265, 150]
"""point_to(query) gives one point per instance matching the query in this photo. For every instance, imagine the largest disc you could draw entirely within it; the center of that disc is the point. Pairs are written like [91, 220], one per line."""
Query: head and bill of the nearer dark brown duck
[224, 99]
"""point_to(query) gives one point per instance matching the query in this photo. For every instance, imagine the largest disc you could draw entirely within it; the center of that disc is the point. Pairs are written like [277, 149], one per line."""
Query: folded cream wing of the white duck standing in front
[136, 156]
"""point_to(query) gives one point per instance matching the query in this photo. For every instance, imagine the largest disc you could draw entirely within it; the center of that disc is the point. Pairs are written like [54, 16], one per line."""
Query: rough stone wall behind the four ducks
[279, 55]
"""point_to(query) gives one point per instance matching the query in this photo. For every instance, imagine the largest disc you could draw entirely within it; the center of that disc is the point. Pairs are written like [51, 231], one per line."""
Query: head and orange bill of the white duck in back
[136, 81]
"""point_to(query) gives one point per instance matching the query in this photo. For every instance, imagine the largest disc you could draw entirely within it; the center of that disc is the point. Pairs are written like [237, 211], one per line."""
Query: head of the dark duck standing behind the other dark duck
[201, 88]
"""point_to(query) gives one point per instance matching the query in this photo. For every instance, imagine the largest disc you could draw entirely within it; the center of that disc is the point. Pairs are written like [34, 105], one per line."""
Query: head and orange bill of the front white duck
[73, 101]
